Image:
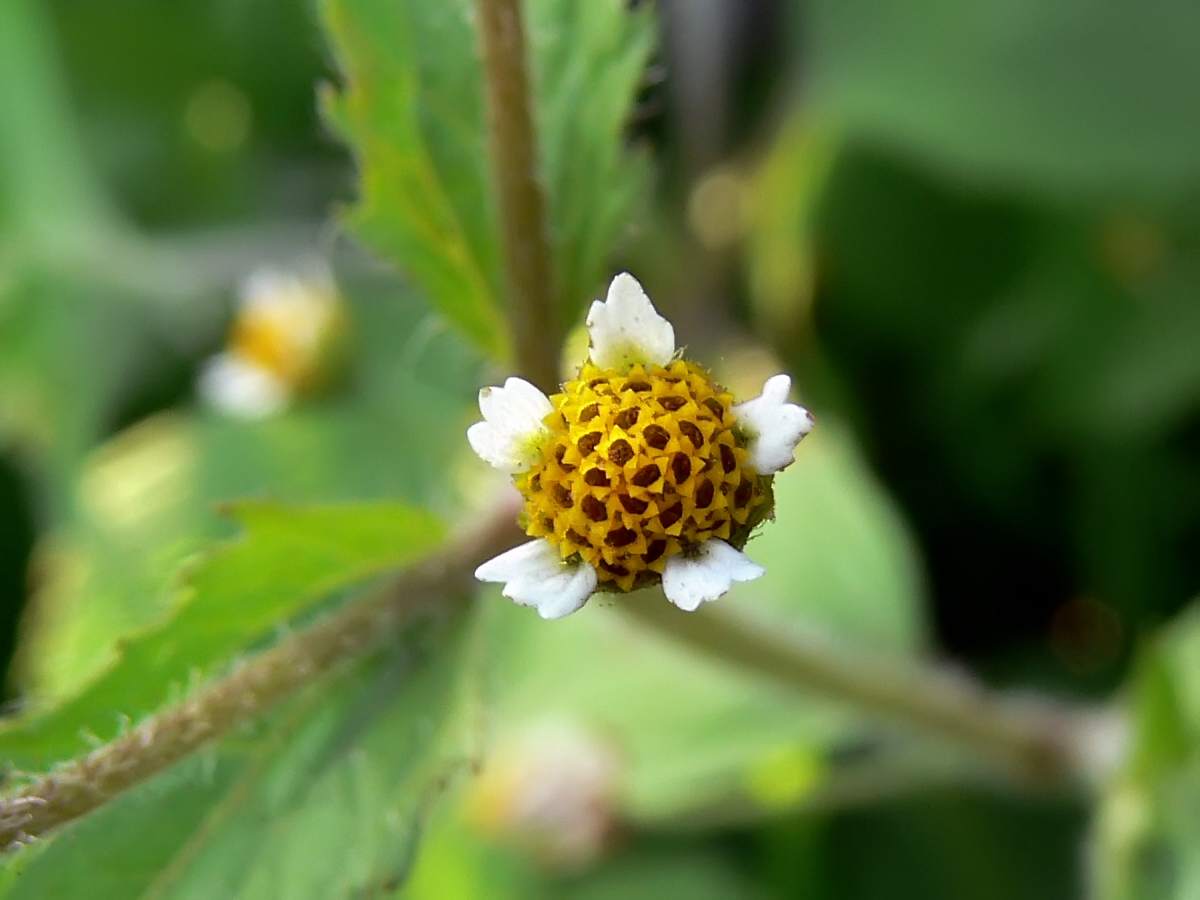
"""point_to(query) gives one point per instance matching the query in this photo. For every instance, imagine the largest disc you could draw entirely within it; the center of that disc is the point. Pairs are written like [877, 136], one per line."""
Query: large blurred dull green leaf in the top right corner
[1059, 95]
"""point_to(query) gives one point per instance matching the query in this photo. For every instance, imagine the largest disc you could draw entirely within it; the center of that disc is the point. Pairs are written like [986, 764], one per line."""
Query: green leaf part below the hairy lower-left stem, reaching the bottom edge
[323, 803]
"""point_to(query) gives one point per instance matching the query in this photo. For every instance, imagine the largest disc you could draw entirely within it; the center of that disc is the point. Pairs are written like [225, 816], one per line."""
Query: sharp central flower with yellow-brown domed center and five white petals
[640, 471]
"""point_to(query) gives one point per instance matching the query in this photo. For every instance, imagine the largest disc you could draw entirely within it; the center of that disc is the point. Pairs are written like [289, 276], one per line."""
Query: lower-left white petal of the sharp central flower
[533, 575]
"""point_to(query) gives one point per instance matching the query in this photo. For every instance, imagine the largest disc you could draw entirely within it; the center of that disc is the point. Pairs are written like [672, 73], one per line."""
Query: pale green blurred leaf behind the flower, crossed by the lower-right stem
[694, 734]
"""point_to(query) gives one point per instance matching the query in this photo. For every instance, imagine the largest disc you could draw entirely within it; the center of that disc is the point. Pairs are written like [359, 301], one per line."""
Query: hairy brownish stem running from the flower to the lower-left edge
[254, 687]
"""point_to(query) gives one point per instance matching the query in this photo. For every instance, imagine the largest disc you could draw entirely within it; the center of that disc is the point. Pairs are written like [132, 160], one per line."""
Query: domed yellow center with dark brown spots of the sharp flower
[640, 466]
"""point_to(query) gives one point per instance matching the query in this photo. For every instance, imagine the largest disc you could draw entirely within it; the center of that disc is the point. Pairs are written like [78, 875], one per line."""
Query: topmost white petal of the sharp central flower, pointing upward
[626, 328]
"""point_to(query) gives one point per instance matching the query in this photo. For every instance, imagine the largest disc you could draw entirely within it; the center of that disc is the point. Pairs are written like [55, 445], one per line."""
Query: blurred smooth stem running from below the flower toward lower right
[1040, 743]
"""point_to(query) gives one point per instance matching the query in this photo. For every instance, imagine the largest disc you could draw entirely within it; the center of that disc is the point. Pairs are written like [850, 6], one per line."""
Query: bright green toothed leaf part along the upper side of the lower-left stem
[289, 561]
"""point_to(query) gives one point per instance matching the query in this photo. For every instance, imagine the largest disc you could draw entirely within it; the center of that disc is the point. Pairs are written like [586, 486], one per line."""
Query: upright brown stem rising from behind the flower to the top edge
[537, 329]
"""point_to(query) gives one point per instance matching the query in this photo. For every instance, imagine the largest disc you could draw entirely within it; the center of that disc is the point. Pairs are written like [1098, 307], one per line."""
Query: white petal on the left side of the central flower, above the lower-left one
[513, 430]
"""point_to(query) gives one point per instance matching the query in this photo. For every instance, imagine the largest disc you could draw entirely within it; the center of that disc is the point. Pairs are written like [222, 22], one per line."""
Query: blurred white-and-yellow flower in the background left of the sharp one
[284, 332]
